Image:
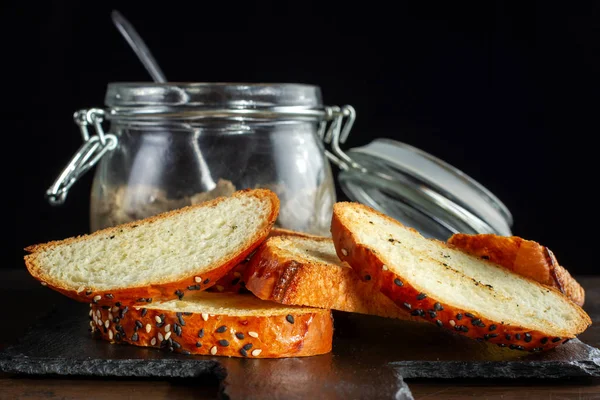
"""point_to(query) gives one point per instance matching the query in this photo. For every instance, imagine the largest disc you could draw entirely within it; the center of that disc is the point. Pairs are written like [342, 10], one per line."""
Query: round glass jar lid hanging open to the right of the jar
[421, 191]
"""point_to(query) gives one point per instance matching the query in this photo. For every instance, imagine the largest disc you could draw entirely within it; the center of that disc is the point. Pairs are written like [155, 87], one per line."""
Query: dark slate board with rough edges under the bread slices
[371, 356]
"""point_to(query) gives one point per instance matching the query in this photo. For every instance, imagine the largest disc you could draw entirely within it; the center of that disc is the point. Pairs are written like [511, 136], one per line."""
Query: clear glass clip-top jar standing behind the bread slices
[176, 144]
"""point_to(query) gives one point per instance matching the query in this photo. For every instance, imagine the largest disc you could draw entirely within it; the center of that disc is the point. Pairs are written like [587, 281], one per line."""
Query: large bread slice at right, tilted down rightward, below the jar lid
[451, 288]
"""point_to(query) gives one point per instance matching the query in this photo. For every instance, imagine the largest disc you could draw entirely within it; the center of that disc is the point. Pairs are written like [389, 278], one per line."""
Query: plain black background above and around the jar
[505, 91]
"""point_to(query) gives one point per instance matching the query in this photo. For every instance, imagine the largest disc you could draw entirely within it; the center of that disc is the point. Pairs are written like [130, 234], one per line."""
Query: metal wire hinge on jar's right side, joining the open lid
[337, 132]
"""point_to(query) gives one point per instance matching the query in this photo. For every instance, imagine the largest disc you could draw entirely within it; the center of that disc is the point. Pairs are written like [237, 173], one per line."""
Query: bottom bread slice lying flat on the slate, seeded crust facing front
[218, 324]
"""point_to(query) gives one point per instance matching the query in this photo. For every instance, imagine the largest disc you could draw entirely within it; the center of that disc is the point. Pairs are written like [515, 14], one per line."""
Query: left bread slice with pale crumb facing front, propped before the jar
[161, 257]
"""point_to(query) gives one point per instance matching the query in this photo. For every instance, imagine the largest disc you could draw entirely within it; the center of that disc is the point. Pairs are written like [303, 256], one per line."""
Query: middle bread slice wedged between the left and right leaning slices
[307, 271]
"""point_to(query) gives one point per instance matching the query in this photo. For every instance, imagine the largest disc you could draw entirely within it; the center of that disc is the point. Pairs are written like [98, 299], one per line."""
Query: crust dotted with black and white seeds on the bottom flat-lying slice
[286, 335]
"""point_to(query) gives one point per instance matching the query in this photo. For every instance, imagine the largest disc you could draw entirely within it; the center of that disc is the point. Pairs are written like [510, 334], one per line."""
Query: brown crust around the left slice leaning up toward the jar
[164, 290]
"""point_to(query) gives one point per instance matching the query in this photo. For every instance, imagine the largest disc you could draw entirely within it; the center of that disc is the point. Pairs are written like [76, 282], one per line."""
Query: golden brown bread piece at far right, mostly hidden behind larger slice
[524, 257]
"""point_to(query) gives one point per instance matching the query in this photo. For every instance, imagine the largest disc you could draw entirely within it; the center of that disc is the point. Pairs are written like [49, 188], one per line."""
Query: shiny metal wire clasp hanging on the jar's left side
[93, 148]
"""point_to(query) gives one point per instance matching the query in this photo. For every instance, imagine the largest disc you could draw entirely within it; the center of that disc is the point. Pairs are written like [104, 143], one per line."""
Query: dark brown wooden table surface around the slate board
[19, 292]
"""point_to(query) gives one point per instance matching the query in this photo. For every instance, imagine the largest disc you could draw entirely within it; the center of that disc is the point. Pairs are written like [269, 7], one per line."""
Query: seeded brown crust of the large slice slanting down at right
[455, 319]
